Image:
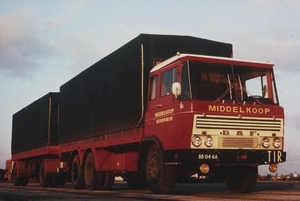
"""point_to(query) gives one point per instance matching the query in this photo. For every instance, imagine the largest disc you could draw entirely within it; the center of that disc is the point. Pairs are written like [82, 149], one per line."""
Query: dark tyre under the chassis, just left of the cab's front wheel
[136, 180]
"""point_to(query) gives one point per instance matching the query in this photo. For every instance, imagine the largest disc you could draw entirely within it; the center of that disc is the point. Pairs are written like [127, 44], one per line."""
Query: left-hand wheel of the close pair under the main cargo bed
[76, 173]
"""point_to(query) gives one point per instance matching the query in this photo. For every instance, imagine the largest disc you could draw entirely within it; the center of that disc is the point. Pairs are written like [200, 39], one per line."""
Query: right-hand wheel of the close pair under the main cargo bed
[90, 174]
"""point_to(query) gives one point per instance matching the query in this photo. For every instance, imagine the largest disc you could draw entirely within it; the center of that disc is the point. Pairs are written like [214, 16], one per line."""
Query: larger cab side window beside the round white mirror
[167, 79]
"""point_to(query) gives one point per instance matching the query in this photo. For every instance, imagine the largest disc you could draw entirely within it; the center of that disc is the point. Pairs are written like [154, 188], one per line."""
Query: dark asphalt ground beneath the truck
[285, 190]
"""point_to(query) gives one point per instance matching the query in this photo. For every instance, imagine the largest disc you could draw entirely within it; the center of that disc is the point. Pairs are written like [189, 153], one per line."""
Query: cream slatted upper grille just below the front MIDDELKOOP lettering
[235, 123]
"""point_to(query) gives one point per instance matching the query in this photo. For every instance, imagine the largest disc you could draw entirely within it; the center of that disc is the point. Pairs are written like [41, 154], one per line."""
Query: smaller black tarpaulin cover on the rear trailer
[36, 125]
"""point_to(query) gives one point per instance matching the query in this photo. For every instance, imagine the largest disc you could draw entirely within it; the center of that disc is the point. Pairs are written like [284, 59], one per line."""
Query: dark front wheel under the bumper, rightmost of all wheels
[243, 180]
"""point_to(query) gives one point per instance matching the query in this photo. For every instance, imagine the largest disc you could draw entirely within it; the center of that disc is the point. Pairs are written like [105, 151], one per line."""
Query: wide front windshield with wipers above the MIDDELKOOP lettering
[219, 82]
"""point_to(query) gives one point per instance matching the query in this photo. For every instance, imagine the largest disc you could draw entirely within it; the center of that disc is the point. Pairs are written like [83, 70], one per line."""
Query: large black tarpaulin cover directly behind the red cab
[106, 97]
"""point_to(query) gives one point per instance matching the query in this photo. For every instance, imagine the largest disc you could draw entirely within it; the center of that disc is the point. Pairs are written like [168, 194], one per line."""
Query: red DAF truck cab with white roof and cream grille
[217, 118]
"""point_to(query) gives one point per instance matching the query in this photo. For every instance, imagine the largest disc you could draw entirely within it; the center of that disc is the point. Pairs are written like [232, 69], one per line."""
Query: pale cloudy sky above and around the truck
[43, 44]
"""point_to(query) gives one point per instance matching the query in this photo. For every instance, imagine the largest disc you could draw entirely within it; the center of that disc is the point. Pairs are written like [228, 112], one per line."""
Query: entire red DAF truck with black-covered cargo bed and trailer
[158, 111]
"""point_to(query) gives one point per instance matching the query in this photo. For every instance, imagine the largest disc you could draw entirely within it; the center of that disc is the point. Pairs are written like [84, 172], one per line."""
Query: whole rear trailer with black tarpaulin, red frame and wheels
[34, 141]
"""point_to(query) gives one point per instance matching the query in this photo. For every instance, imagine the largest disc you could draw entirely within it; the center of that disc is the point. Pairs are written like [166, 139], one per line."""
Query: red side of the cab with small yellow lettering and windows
[162, 106]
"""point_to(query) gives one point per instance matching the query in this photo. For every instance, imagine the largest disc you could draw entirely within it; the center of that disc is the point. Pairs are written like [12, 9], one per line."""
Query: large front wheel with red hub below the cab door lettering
[160, 178]
